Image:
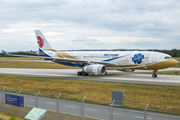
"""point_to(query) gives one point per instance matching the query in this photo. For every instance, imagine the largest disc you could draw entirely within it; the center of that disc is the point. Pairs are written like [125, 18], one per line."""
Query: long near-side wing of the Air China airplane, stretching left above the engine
[60, 59]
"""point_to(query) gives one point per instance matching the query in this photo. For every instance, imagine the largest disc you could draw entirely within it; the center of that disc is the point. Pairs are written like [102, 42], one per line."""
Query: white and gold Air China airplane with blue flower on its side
[98, 62]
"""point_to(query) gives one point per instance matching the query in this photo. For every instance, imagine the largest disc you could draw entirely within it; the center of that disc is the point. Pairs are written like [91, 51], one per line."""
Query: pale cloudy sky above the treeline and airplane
[90, 24]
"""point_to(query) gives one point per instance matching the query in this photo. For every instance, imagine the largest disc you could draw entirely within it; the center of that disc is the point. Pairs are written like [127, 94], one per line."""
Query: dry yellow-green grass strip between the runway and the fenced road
[161, 98]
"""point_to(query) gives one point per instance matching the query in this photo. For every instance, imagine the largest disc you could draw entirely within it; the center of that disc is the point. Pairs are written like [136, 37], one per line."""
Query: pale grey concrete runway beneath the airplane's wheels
[112, 76]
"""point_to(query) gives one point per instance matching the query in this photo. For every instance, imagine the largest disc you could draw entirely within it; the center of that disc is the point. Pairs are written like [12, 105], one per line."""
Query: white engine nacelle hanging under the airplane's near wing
[96, 69]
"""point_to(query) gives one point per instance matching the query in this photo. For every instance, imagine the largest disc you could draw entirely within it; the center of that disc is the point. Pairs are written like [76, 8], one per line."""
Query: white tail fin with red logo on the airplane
[41, 40]
